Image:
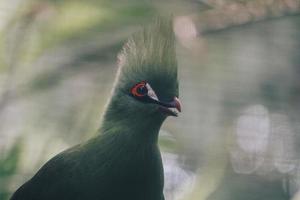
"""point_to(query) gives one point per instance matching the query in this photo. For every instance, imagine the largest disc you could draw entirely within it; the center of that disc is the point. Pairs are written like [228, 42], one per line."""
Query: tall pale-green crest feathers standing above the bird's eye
[149, 55]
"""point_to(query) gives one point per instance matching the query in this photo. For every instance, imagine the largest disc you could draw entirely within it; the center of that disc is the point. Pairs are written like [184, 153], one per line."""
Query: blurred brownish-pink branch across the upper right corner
[234, 13]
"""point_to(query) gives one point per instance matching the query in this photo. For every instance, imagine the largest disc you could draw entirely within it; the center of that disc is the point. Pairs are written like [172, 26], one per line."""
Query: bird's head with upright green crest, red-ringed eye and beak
[147, 82]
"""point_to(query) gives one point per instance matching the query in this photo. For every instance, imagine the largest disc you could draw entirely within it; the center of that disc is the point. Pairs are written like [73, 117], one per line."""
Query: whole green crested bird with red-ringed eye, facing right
[123, 161]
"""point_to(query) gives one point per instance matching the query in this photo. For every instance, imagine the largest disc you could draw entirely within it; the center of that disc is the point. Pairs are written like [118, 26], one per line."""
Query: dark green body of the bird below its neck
[130, 169]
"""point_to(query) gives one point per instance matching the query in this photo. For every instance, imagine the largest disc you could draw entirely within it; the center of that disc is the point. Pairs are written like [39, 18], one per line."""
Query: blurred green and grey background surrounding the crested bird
[238, 136]
